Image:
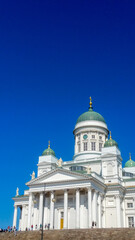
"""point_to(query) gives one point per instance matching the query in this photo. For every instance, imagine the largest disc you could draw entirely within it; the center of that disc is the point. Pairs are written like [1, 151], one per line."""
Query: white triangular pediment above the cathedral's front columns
[59, 175]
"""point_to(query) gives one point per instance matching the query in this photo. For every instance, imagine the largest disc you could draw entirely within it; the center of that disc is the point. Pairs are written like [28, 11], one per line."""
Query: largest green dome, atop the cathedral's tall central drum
[89, 116]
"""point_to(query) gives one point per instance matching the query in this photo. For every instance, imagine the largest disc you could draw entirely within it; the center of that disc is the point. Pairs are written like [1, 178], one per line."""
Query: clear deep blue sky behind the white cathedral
[53, 56]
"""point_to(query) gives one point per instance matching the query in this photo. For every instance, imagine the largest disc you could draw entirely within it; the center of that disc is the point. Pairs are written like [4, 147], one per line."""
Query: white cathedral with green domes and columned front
[91, 190]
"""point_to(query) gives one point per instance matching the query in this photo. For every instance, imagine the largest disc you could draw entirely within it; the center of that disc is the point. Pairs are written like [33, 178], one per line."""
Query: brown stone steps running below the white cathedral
[74, 234]
